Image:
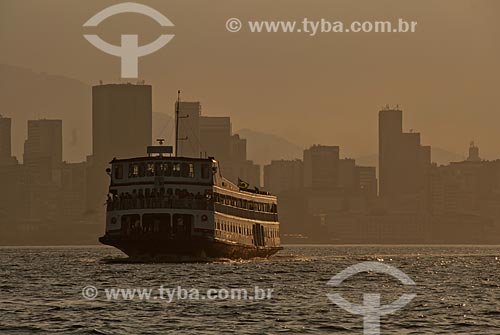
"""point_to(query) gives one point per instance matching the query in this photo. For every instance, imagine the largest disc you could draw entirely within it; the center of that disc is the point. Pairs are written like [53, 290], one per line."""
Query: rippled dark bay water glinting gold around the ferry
[458, 292]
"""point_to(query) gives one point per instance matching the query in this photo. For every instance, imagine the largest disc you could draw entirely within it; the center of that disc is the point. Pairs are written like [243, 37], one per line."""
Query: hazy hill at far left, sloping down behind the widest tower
[27, 95]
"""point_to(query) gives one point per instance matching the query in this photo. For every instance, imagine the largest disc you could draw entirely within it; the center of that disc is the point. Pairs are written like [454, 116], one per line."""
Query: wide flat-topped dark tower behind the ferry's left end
[121, 121]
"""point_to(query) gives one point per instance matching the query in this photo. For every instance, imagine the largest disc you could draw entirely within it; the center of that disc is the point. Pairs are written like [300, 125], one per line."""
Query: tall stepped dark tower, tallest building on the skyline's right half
[403, 162]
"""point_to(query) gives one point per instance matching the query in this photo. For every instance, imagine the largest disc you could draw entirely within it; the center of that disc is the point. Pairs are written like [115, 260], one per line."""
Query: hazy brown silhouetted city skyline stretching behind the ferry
[321, 193]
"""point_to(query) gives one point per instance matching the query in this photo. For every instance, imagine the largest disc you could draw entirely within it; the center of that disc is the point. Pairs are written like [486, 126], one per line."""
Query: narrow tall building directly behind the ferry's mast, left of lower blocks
[189, 129]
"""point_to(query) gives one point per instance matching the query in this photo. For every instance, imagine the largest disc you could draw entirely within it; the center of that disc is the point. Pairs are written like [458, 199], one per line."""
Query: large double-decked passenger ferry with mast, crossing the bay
[178, 208]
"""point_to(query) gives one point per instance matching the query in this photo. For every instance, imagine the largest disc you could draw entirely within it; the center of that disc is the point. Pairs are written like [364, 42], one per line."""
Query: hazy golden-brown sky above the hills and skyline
[323, 89]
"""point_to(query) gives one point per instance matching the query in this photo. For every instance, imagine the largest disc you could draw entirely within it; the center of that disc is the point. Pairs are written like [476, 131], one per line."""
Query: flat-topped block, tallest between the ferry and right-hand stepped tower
[321, 167]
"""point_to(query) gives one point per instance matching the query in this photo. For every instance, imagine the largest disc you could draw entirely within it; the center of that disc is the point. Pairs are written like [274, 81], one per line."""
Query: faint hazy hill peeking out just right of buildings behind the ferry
[263, 147]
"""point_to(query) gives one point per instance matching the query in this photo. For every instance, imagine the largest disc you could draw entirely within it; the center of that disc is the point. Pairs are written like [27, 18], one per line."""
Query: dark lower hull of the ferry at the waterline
[185, 249]
